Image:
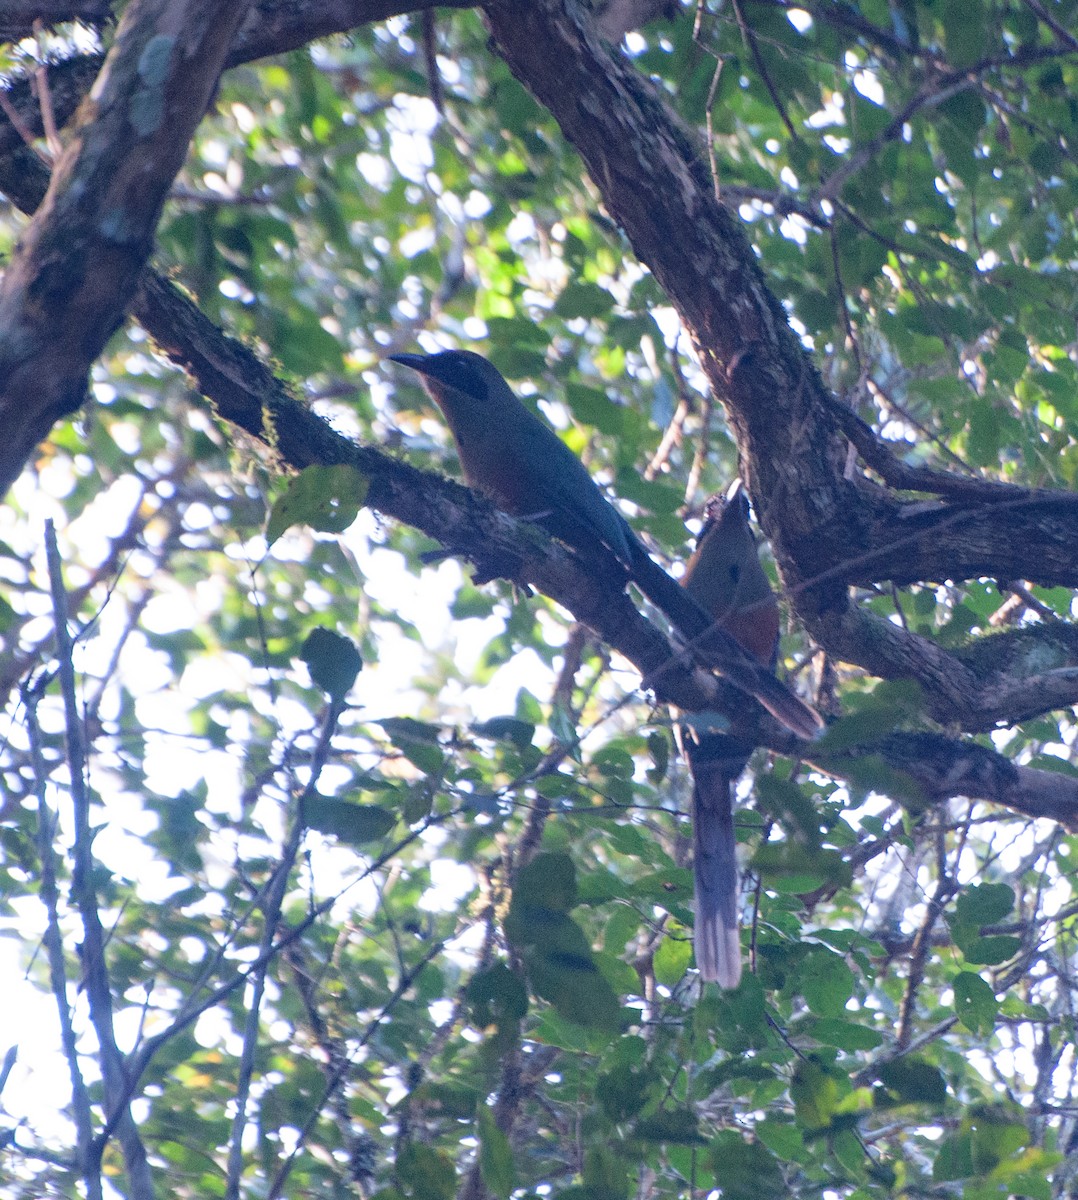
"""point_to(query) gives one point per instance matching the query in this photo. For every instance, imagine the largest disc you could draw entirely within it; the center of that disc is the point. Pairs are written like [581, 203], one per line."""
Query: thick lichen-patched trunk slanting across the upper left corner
[75, 271]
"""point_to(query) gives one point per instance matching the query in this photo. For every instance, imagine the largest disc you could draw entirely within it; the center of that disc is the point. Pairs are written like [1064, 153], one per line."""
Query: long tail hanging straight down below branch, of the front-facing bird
[716, 764]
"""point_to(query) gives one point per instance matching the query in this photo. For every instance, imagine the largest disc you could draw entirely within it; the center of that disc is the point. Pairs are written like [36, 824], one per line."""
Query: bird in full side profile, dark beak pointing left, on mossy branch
[518, 461]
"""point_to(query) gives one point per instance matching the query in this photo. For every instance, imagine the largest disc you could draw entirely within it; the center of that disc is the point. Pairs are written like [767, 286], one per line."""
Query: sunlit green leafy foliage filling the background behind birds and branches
[392, 868]
